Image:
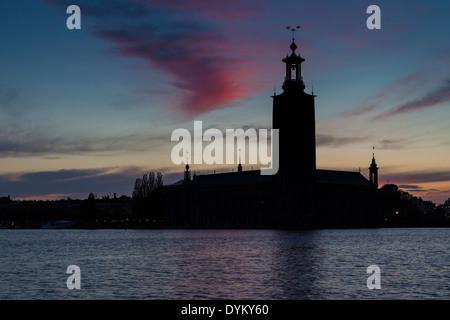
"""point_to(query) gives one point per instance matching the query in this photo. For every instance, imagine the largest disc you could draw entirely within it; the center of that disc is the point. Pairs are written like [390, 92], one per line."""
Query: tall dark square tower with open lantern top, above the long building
[294, 117]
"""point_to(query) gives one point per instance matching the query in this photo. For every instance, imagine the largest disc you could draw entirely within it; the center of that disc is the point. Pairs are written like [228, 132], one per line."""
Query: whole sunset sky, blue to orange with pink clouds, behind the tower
[91, 110]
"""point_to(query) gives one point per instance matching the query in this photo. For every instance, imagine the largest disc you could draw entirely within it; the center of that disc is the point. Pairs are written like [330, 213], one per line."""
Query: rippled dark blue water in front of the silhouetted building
[225, 264]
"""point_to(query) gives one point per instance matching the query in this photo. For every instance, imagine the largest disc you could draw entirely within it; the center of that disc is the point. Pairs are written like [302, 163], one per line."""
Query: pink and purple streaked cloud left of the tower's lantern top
[205, 76]
